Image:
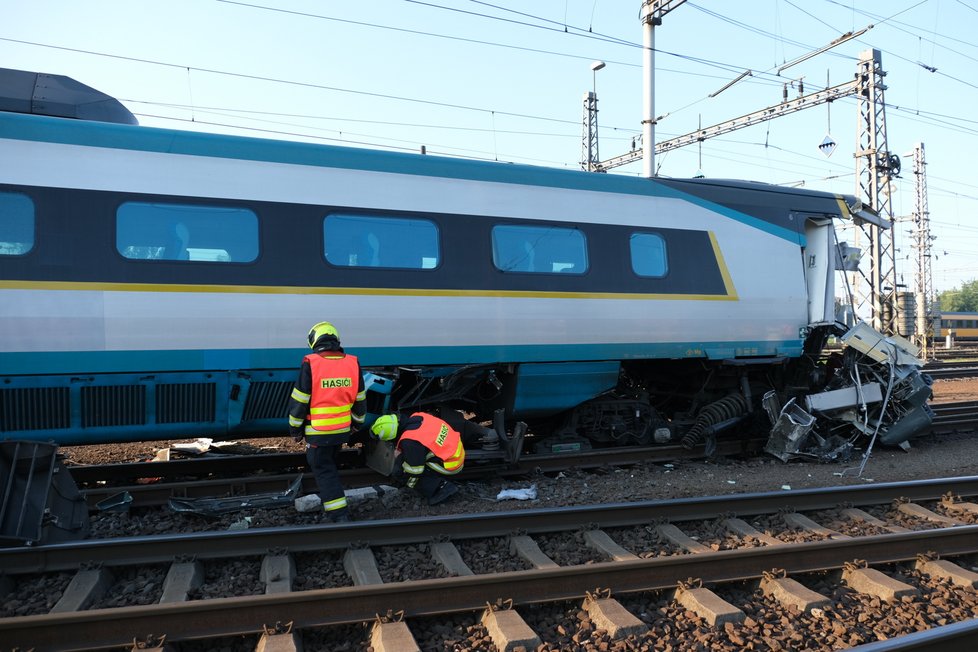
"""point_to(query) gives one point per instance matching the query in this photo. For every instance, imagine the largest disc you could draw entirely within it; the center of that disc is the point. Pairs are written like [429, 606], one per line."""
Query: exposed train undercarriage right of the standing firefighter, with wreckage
[823, 405]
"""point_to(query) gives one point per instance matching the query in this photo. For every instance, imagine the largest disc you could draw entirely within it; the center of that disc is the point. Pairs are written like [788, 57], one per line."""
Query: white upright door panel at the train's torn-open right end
[818, 255]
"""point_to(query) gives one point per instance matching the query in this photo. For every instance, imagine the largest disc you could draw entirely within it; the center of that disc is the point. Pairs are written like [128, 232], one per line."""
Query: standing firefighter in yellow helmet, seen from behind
[327, 402]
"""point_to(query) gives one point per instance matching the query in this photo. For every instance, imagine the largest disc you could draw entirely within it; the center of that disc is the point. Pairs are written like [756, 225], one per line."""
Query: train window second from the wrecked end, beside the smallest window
[539, 249]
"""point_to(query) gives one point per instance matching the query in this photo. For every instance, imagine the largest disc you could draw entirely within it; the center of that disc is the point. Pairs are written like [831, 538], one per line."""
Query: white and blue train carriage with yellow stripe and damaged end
[158, 283]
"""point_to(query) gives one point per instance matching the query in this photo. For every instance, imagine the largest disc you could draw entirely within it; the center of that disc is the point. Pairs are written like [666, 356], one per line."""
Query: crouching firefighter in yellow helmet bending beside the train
[431, 448]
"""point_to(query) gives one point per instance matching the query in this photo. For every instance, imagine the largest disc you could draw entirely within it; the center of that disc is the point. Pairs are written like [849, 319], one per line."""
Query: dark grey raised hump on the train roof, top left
[39, 93]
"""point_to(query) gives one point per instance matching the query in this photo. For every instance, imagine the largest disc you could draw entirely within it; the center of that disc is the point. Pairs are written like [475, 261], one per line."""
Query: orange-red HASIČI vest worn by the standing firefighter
[335, 384]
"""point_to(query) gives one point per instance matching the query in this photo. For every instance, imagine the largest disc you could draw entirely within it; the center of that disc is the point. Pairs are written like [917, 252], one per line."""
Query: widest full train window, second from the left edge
[218, 234]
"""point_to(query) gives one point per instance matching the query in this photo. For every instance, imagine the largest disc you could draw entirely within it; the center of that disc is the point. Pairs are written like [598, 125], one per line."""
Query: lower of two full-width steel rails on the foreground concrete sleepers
[326, 607]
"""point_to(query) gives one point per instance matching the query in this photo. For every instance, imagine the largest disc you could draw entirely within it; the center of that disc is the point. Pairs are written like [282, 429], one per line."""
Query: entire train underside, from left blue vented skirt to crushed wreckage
[824, 403]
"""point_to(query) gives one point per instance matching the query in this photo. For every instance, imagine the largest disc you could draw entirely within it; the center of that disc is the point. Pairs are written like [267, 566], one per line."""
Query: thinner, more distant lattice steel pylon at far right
[924, 288]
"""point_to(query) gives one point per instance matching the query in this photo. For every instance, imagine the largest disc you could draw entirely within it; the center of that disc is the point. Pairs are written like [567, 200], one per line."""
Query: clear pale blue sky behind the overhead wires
[504, 80]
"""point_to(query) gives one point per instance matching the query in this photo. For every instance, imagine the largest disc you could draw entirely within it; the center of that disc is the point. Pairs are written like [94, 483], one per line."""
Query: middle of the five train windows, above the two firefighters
[374, 241]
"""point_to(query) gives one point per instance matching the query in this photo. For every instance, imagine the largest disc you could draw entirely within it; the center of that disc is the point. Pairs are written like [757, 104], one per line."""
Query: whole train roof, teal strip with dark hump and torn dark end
[765, 206]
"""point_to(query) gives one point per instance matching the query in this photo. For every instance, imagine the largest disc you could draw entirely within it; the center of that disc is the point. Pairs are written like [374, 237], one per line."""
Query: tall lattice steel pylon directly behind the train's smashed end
[875, 167]
